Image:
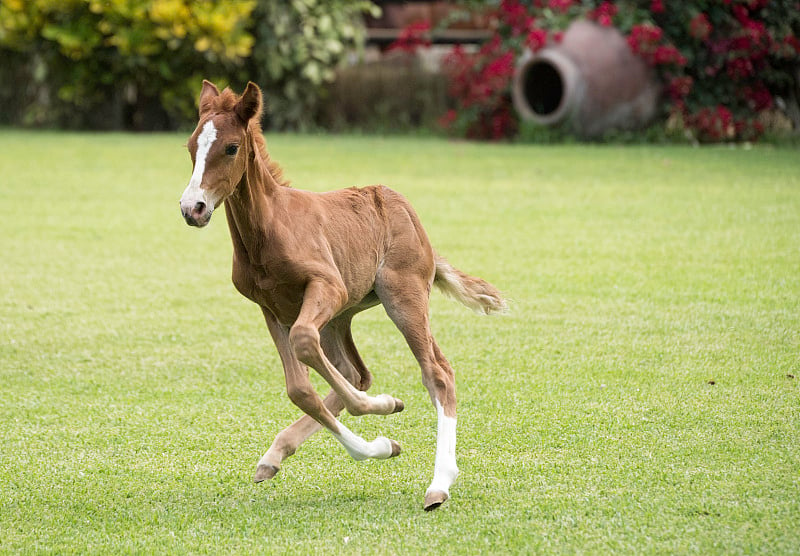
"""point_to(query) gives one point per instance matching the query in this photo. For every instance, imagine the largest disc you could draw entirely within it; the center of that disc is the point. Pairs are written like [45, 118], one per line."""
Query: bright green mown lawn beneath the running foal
[643, 395]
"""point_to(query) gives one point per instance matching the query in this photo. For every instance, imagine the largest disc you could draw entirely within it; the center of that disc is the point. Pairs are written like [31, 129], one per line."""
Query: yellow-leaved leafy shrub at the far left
[110, 60]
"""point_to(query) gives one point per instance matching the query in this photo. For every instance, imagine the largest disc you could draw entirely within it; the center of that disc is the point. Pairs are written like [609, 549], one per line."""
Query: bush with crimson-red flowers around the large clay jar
[721, 62]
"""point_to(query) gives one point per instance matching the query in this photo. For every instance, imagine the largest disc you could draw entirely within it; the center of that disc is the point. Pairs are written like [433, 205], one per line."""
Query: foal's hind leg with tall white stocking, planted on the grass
[406, 303]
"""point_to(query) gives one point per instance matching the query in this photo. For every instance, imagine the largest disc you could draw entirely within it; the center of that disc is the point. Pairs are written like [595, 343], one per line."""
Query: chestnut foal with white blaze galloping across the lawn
[311, 261]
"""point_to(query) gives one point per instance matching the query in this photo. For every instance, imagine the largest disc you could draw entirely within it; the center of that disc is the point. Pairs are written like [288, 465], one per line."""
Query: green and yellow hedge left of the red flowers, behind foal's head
[138, 64]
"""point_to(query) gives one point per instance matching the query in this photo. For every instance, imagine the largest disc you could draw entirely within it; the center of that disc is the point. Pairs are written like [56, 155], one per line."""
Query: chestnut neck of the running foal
[251, 208]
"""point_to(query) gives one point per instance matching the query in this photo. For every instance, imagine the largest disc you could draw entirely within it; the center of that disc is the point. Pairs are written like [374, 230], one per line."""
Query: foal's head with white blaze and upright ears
[218, 149]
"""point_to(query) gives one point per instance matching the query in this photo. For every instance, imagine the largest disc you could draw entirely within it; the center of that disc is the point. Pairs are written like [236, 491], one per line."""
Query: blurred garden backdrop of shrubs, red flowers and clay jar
[541, 70]
